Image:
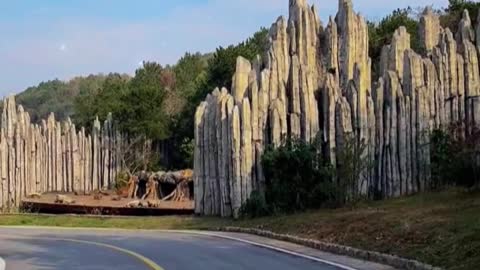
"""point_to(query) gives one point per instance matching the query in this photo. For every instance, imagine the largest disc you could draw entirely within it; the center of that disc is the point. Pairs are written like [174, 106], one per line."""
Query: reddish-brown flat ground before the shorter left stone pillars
[105, 201]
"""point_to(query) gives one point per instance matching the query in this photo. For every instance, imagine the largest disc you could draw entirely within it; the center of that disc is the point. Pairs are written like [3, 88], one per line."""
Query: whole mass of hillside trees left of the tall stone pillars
[158, 103]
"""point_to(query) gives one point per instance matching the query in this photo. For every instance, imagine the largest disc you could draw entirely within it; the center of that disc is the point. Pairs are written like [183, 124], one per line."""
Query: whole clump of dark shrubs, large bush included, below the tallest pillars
[298, 178]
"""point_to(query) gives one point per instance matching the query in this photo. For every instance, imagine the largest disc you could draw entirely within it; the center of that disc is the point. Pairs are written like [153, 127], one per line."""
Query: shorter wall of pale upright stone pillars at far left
[53, 156]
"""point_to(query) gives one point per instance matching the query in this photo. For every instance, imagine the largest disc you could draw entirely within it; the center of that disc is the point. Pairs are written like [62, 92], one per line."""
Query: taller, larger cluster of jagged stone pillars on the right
[316, 82]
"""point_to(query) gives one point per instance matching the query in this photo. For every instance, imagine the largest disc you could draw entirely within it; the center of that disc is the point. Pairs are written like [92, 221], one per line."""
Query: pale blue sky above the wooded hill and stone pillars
[42, 40]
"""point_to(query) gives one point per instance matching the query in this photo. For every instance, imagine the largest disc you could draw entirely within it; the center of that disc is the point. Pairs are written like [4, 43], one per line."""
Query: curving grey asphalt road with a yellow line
[32, 249]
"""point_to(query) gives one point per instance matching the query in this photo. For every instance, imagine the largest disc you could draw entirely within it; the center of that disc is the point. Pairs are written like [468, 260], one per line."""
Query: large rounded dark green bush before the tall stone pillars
[297, 178]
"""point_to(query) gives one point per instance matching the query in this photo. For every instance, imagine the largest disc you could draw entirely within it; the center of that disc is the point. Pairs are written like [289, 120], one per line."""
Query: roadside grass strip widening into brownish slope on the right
[442, 229]
